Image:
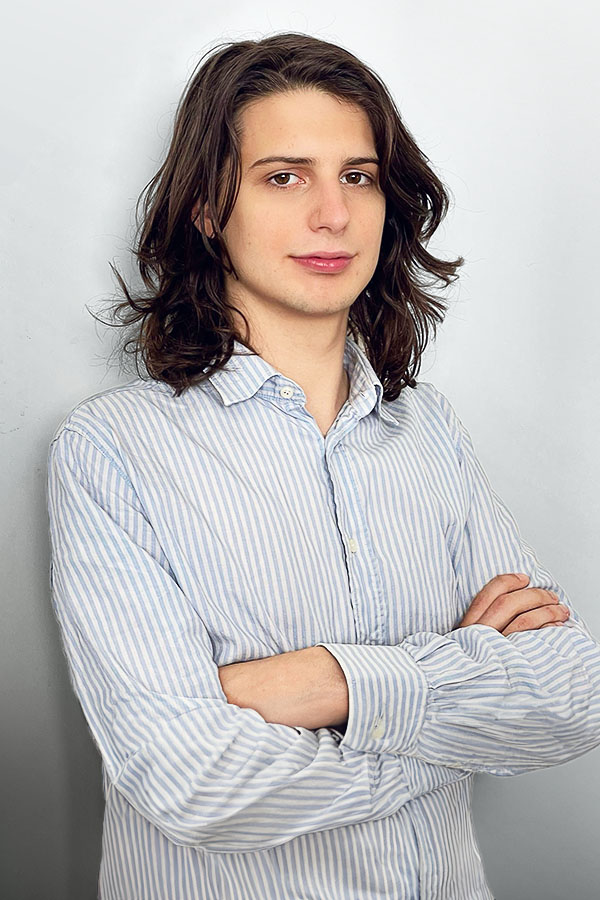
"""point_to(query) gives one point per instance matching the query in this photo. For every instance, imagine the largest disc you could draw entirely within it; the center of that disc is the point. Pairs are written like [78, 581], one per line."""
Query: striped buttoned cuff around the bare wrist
[387, 694]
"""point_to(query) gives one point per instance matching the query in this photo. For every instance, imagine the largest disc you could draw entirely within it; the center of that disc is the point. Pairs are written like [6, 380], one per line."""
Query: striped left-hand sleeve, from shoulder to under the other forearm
[206, 773]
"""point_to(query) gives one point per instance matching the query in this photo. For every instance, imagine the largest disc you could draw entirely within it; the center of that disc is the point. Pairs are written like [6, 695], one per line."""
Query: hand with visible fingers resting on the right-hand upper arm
[507, 606]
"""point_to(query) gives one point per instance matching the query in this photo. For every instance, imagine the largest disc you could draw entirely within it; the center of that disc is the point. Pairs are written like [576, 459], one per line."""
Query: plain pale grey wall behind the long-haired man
[502, 98]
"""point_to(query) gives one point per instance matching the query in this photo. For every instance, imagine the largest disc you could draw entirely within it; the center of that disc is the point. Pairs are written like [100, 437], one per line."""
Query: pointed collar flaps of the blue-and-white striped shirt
[245, 374]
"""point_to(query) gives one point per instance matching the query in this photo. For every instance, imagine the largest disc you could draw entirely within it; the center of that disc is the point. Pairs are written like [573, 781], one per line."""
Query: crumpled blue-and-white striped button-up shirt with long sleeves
[221, 526]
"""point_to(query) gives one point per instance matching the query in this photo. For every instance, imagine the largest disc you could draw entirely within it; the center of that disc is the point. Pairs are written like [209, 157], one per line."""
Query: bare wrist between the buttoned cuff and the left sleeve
[303, 688]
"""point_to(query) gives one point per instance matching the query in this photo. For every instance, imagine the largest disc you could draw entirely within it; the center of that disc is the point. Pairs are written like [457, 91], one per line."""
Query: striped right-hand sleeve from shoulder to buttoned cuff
[474, 698]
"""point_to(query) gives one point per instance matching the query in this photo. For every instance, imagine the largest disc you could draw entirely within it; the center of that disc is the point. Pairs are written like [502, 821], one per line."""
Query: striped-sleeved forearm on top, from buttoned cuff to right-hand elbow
[475, 699]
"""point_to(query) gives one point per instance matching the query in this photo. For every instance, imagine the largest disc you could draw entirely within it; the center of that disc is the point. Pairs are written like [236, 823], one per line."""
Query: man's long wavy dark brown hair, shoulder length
[180, 326]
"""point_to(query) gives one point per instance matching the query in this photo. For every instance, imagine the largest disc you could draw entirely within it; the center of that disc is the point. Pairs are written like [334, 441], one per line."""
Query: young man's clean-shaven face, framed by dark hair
[323, 199]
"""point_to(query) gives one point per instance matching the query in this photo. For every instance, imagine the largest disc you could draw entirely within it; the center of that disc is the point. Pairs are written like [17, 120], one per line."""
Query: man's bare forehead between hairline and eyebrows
[306, 122]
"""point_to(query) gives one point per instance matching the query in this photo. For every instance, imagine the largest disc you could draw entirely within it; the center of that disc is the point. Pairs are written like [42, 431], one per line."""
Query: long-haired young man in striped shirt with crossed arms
[297, 617]
